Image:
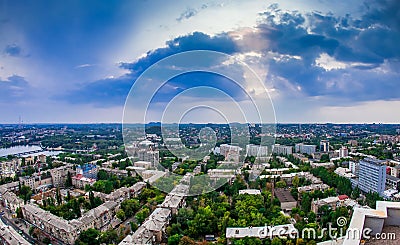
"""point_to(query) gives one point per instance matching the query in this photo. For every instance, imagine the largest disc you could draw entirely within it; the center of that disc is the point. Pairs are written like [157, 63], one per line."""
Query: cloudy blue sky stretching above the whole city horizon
[319, 60]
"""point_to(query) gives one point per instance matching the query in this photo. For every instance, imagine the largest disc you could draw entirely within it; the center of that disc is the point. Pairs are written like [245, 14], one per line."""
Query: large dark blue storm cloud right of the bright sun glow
[364, 44]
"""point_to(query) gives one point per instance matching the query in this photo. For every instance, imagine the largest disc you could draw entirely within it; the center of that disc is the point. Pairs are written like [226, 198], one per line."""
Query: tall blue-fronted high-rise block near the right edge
[372, 175]
